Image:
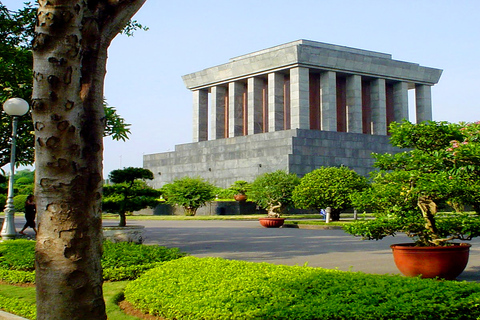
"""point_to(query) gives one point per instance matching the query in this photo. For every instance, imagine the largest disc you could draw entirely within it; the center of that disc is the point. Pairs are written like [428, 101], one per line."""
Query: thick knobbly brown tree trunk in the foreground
[70, 52]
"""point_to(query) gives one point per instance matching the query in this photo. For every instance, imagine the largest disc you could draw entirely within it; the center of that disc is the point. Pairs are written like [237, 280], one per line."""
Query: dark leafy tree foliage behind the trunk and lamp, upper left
[16, 69]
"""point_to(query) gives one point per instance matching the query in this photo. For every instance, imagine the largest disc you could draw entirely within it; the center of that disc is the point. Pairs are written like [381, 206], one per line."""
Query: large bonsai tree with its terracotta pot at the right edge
[441, 165]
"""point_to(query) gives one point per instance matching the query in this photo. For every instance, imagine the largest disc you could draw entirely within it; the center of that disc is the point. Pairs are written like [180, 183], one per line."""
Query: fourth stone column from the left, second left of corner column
[255, 105]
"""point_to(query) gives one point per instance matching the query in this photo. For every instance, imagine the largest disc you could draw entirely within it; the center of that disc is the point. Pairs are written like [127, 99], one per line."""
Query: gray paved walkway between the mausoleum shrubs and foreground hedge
[247, 240]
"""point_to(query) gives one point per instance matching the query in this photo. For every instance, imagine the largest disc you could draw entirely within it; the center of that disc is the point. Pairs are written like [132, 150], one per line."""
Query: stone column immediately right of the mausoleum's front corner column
[328, 101]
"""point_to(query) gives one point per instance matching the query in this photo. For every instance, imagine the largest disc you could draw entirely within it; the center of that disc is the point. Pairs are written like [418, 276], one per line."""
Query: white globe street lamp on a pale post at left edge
[14, 107]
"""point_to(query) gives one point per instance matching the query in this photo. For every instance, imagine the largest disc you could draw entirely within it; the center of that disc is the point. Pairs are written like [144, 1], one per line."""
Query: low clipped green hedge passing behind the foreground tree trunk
[120, 261]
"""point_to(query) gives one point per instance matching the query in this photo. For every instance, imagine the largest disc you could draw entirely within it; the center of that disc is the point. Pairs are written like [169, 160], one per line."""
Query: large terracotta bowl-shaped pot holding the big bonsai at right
[430, 262]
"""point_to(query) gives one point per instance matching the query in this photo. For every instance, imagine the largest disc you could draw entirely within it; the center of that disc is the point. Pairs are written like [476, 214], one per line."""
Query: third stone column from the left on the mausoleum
[235, 109]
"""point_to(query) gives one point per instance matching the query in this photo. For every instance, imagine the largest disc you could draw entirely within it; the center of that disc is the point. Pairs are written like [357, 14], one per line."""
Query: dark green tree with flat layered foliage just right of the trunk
[129, 192]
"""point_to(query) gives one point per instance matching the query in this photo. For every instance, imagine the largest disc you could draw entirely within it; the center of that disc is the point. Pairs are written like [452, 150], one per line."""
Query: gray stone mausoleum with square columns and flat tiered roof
[297, 107]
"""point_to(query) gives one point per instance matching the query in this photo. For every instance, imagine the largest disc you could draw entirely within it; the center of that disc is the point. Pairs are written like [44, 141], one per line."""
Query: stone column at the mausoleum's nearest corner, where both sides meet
[299, 98]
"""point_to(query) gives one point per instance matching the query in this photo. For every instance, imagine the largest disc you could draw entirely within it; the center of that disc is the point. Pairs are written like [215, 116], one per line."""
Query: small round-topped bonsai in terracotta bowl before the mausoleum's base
[273, 191]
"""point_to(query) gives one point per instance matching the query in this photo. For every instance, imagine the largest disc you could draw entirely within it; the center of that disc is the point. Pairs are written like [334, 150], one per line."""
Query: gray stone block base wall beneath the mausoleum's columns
[224, 161]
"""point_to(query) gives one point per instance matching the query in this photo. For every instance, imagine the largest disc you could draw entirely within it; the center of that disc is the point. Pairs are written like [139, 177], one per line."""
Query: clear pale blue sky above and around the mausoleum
[144, 72]
